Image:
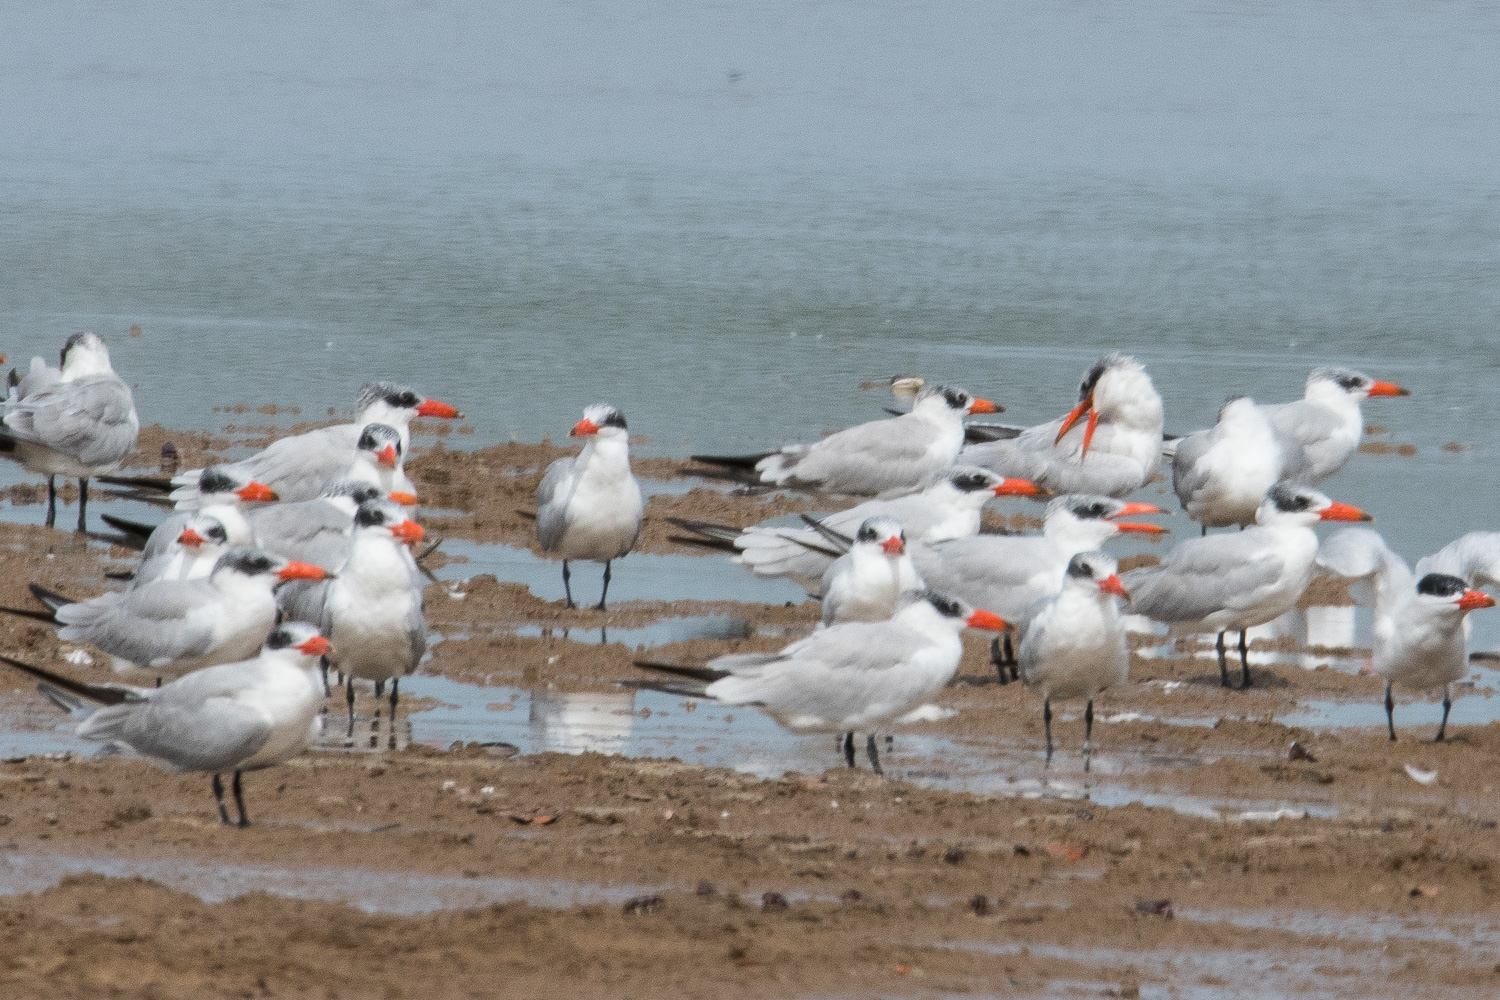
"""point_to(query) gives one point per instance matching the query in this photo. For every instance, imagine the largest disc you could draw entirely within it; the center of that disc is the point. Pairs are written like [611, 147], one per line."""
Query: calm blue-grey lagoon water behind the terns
[724, 218]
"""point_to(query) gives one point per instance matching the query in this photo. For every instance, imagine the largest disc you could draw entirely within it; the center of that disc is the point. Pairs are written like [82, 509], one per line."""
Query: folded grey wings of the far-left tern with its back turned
[91, 419]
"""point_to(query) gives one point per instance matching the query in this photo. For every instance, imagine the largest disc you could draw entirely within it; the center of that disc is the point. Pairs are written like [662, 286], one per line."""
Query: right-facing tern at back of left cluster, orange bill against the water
[302, 467]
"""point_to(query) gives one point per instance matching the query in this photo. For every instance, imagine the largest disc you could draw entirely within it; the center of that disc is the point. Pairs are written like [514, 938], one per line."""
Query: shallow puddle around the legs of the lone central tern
[637, 578]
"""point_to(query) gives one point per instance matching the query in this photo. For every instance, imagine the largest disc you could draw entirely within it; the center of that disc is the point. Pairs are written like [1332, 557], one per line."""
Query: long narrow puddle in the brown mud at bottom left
[403, 894]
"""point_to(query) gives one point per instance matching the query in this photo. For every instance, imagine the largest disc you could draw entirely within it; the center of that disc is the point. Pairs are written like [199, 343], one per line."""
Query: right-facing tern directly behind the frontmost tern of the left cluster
[181, 626]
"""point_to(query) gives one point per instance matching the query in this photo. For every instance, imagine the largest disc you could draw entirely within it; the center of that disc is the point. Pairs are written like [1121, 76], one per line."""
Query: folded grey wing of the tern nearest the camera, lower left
[212, 735]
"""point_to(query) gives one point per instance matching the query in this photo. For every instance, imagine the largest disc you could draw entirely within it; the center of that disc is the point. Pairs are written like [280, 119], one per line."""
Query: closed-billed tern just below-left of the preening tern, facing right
[949, 507]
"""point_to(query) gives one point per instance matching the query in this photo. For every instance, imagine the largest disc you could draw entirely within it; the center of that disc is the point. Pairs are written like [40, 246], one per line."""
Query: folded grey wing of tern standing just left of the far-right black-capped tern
[1204, 576]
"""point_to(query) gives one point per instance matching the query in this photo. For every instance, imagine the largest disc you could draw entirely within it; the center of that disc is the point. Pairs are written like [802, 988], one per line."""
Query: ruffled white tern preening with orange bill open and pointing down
[1109, 445]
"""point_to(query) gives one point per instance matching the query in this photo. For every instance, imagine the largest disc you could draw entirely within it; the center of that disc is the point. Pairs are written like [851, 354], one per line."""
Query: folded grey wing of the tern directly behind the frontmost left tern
[151, 626]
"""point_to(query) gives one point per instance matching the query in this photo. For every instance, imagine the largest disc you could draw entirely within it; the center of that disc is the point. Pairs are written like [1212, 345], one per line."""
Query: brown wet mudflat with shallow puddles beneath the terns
[1199, 857]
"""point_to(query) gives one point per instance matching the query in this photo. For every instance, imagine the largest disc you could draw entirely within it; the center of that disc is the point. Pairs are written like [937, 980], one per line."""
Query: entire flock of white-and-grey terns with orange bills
[277, 569]
